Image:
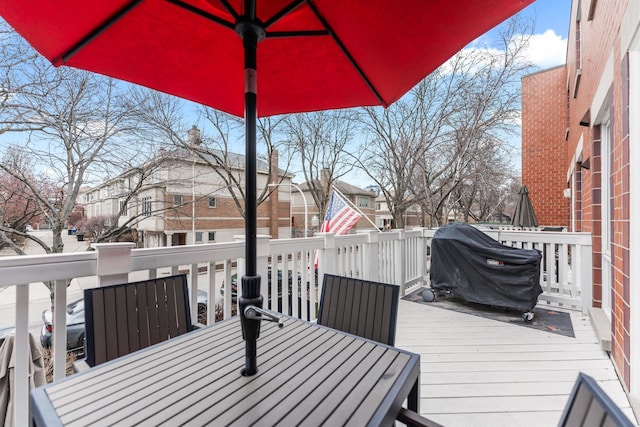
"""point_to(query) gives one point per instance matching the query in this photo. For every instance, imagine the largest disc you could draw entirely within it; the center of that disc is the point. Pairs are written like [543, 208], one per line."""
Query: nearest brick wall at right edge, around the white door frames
[599, 44]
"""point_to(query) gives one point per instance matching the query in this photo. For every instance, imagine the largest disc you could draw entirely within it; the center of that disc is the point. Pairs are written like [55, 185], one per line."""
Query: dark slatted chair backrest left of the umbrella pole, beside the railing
[120, 319]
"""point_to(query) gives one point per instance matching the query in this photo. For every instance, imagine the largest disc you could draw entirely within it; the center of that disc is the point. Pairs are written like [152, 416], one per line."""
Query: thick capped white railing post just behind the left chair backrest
[114, 262]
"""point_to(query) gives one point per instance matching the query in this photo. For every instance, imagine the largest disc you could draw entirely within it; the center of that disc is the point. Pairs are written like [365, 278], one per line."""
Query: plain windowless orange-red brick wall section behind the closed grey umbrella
[544, 120]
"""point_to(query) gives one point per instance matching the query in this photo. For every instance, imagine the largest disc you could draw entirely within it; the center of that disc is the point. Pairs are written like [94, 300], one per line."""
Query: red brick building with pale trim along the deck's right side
[598, 90]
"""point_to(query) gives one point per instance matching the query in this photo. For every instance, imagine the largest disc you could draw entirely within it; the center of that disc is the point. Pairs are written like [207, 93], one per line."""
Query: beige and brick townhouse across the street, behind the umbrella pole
[177, 198]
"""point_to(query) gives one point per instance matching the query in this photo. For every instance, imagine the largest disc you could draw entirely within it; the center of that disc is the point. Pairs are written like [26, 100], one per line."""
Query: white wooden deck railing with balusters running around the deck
[400, 257]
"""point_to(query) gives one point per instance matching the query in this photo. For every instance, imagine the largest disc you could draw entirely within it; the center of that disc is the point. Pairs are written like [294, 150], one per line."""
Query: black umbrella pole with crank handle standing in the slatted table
[251, 281]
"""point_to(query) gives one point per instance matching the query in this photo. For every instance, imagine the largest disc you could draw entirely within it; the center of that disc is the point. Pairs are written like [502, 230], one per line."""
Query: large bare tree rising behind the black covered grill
[426, 147]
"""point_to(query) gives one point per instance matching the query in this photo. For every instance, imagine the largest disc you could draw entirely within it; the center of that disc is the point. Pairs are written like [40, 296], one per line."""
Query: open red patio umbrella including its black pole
[313, 55]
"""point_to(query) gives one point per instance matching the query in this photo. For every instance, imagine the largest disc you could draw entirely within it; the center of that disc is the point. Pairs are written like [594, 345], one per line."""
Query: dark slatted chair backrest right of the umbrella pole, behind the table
[360, 307]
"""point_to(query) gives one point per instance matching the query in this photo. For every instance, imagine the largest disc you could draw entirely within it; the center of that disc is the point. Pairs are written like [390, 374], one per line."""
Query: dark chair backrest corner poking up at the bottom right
[589, 405]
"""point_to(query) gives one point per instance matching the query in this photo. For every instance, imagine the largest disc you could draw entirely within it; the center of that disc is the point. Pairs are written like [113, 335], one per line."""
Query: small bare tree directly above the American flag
[319, 141]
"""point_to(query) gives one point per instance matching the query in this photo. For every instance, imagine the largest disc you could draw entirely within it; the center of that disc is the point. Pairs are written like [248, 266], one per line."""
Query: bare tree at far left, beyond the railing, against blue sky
[70, 124]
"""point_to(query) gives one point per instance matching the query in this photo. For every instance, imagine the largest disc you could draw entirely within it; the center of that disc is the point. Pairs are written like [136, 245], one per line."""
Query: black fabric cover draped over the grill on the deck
[476, 268]
